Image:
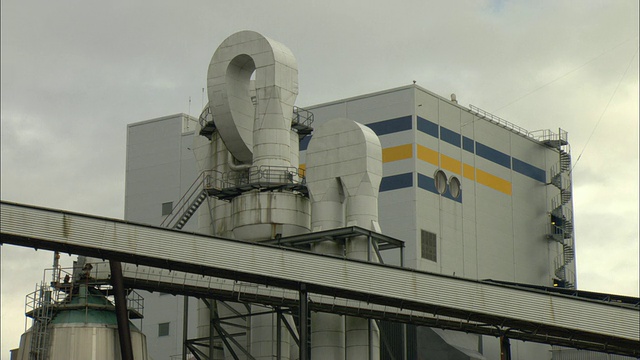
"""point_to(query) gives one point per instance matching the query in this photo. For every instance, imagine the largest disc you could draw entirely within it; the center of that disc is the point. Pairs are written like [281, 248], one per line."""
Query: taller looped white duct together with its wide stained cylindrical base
[253, 122]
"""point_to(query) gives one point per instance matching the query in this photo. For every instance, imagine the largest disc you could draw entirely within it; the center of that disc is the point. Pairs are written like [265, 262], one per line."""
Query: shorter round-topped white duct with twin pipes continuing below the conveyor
[344, 170]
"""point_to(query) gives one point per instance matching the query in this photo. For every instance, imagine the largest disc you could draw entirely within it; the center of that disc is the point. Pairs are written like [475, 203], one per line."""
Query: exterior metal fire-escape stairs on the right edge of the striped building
[561, 211]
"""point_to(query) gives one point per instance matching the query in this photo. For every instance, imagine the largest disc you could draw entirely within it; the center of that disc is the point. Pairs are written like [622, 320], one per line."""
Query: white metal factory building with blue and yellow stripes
[490, 215]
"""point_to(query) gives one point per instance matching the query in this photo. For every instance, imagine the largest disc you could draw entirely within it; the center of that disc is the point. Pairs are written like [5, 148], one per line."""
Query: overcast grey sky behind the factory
[75, 73]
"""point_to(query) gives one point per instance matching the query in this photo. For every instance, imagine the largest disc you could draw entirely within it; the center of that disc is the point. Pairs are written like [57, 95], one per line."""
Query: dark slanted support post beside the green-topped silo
[124, 333]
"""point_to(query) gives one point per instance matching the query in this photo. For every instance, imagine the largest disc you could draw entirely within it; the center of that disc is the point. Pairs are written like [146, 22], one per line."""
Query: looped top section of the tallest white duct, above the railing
[260, 136]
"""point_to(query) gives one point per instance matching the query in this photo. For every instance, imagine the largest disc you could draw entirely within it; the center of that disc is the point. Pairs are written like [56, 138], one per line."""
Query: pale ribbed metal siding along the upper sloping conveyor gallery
[401, 284]
